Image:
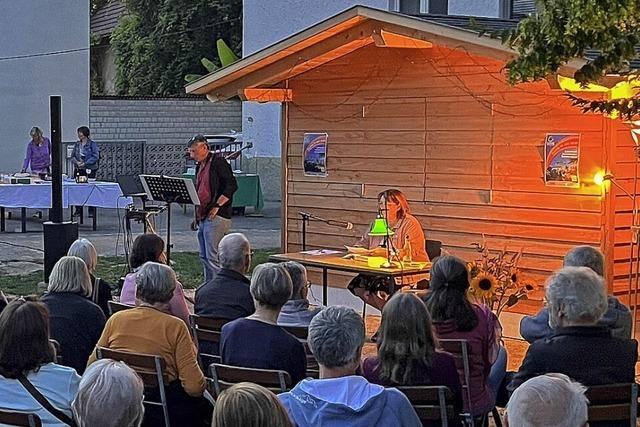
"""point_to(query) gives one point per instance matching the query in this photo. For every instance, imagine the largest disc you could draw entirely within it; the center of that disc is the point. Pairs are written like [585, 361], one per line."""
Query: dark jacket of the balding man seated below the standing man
[226, 296]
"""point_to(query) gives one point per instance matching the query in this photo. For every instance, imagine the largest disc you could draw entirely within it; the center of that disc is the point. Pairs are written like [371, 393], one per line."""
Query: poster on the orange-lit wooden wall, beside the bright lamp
[561, 158]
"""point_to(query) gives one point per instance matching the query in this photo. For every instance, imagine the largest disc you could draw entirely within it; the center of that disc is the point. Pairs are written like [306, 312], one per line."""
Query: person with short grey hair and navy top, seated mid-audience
[257, 341]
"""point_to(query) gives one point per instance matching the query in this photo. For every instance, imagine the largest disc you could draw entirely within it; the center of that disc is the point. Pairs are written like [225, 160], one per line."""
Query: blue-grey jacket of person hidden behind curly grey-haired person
[617, 318]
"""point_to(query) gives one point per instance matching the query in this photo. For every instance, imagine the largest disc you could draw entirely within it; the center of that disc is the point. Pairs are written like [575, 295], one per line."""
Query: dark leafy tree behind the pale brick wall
[160, 41]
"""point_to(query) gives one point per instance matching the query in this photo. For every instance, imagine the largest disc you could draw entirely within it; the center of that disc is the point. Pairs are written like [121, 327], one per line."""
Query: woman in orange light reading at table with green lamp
[394, 208]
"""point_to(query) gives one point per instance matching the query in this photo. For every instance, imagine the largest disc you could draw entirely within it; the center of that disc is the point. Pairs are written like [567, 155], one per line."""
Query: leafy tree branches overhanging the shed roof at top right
[566, 29]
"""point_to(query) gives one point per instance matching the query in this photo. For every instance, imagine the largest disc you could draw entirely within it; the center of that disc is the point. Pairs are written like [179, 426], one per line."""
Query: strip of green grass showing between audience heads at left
[186, 264]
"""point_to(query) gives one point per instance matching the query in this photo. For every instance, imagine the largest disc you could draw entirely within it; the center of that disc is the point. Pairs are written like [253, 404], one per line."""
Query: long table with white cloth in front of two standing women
[38, 196]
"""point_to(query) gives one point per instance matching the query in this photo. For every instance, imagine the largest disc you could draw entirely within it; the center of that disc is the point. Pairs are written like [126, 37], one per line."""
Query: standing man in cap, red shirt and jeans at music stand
[215, 185]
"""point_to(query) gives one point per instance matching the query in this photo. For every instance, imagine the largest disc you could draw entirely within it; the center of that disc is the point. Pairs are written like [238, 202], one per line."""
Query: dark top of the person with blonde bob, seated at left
[76, 323]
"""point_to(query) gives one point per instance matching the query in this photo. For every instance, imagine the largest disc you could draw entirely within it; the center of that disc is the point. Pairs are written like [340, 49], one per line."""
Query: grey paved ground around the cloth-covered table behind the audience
[22, 252]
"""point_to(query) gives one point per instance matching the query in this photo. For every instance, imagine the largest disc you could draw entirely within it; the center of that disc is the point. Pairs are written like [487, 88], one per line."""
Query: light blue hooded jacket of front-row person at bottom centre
[351, 401]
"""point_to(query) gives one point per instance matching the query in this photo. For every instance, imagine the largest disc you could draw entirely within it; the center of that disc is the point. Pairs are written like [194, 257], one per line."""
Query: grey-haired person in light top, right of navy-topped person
[296, 311]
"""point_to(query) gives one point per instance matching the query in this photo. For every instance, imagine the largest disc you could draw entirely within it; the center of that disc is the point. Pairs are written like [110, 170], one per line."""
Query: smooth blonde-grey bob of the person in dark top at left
[70, 274]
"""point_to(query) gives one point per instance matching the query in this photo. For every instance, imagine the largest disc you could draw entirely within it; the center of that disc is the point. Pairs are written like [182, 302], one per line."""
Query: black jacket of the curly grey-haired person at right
[587, 354]
